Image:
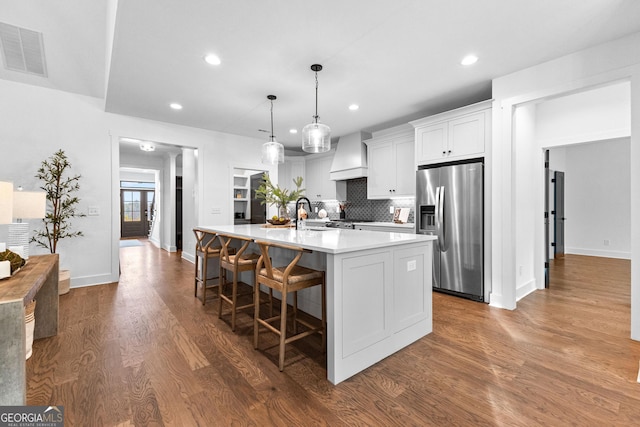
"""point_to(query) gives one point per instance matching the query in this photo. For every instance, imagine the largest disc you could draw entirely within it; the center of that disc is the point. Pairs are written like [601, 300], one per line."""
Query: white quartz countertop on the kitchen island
[322, 239]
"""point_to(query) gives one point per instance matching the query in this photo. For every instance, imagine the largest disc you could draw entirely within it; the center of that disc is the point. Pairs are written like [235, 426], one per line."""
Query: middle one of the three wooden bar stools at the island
[235, 263]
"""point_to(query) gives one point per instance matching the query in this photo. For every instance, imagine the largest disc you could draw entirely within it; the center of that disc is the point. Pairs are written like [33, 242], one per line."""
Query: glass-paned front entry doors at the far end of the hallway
[135, 212]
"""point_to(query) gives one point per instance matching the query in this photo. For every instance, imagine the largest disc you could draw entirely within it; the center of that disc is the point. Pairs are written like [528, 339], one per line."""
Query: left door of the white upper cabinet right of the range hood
[381, 179]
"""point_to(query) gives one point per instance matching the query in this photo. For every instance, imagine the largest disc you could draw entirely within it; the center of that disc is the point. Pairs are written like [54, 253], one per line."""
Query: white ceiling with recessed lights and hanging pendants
[399, 60]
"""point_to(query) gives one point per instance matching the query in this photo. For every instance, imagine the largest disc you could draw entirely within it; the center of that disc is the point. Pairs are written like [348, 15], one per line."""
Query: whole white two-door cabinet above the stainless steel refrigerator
[455, 135]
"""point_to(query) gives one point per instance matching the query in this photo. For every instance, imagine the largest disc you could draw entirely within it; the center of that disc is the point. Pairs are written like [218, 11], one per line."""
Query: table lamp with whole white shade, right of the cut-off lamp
[26, 205]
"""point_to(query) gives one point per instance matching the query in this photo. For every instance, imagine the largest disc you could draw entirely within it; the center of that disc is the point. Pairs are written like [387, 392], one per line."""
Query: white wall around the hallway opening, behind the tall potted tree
[37, 121]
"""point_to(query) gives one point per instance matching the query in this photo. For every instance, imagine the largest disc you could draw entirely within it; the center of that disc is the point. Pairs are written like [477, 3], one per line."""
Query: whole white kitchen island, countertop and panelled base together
[378, 288]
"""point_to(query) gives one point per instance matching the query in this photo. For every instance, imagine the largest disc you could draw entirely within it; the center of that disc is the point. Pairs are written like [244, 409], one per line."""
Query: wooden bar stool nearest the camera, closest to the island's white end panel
[288, 279]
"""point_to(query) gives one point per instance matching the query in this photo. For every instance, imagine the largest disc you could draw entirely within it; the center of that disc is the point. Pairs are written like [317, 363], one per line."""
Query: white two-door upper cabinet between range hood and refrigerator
[390, 155]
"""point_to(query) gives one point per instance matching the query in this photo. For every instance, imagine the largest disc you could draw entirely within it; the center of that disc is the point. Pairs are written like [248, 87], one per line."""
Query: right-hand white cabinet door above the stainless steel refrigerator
[466, 135]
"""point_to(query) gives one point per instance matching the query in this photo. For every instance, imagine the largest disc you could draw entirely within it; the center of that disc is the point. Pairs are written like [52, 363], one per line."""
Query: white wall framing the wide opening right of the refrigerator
[592, 68]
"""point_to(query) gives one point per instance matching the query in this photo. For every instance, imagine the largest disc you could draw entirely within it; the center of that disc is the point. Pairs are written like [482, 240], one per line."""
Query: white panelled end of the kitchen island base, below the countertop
[379, 302]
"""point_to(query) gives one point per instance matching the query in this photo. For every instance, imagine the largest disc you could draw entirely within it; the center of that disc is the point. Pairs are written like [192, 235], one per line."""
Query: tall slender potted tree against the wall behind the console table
[61, 208]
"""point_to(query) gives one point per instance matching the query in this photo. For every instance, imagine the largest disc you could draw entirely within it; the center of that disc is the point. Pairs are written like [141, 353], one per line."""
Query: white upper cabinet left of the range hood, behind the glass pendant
[318, 185]
